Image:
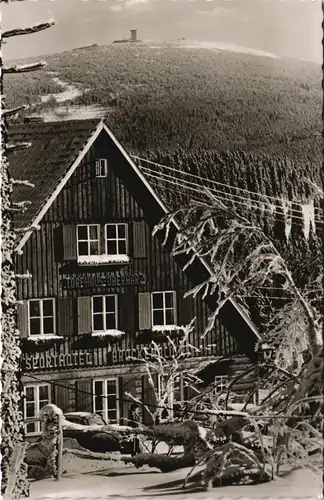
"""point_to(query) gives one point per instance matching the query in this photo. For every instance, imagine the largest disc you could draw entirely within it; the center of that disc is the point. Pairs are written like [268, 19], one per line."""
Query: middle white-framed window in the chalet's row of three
[104, 313]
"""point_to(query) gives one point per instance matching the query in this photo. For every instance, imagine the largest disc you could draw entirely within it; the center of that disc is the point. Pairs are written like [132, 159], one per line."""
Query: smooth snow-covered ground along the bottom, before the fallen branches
[93, 478]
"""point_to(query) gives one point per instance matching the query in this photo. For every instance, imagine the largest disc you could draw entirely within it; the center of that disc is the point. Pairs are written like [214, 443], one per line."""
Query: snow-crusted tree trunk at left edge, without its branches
[12, 433]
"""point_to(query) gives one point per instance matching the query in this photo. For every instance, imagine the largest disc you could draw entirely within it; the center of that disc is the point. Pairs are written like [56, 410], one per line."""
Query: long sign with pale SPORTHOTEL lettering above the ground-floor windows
[46, 361]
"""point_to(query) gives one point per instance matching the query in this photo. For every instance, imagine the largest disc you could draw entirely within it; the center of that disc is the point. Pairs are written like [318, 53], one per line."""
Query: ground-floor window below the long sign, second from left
[105, 400]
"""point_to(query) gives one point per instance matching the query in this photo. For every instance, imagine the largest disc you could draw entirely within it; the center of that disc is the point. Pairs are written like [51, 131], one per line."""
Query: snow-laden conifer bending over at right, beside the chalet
[285, 427]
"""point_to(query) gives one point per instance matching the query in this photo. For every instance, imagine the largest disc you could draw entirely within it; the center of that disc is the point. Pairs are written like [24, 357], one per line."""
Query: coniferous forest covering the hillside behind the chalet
[242, 120]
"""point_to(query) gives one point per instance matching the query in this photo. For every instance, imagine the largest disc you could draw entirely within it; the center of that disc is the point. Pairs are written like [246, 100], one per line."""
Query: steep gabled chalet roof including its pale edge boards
[56, 151]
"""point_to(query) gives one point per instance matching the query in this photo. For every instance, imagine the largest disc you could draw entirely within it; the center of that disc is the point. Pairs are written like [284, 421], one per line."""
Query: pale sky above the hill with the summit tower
[289, 28]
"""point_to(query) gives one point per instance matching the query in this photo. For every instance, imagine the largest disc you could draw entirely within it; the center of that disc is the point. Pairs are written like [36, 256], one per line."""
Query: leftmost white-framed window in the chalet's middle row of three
[41, 317]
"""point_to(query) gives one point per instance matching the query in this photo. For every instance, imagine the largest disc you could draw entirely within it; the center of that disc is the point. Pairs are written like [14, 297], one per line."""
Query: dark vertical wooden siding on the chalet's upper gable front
[50, 252]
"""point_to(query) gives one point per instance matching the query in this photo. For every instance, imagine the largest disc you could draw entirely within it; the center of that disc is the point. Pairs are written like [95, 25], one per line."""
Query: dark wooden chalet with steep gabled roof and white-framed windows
[96, 268]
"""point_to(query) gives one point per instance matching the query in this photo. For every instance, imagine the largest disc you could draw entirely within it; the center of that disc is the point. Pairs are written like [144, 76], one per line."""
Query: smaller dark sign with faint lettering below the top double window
[103, 279]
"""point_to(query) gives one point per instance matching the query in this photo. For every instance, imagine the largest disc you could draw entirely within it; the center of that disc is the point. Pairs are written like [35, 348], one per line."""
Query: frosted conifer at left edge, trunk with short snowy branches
[14, 483]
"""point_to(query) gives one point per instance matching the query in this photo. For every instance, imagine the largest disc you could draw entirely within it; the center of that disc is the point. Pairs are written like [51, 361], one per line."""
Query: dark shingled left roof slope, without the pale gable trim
[54, 147]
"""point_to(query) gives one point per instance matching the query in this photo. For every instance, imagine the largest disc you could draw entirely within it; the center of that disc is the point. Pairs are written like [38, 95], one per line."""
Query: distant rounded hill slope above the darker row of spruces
[191, 95]
